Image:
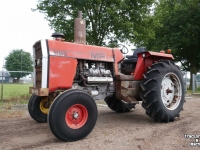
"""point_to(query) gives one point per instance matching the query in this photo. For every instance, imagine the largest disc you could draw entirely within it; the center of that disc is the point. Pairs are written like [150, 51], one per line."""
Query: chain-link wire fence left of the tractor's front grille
[14, 89]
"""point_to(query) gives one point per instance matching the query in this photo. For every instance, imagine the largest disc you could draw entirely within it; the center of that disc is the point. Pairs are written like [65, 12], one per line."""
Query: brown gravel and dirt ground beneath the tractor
[113, 131]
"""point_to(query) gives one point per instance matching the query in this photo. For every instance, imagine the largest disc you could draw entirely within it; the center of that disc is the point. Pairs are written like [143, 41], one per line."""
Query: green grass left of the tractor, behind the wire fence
[14, 94]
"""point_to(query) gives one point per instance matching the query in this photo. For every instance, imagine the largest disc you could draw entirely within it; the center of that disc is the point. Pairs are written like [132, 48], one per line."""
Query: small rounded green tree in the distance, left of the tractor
[21, 61]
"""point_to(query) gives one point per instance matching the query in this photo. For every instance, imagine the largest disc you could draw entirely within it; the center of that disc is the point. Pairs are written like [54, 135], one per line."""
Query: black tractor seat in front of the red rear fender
[133, 58]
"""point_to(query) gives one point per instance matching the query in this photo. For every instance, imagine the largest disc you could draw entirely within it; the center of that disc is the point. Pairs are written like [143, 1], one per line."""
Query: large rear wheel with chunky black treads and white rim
[163, 91]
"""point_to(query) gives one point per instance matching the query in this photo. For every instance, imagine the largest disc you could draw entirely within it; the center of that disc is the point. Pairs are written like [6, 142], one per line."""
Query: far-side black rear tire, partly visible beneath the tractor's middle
[118, 105]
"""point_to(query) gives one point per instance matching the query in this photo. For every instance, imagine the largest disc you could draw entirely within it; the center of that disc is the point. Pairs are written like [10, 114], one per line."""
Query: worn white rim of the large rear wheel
[171, 91]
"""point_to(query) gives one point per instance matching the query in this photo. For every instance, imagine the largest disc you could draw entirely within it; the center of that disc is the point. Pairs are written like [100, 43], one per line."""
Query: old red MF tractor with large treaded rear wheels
[69, 77]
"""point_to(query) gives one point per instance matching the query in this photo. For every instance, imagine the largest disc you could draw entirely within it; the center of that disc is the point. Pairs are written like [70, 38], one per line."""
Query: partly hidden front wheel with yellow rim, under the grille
[38, 107]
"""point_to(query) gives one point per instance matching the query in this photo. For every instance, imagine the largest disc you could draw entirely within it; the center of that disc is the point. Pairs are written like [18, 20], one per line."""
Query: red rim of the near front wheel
[76, 116]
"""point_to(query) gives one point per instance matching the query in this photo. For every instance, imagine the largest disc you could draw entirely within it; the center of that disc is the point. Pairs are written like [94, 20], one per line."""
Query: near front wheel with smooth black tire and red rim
[72, 115]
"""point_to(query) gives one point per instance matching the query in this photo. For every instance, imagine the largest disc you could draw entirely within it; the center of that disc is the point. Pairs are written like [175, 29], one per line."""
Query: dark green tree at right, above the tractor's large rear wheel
[175, 25]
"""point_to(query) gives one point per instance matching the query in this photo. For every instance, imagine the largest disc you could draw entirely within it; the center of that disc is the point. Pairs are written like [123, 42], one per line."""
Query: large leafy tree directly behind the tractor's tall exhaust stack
[105, 19]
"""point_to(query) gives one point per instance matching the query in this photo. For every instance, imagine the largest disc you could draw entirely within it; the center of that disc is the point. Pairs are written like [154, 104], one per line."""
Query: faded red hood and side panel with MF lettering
[63, 61]
